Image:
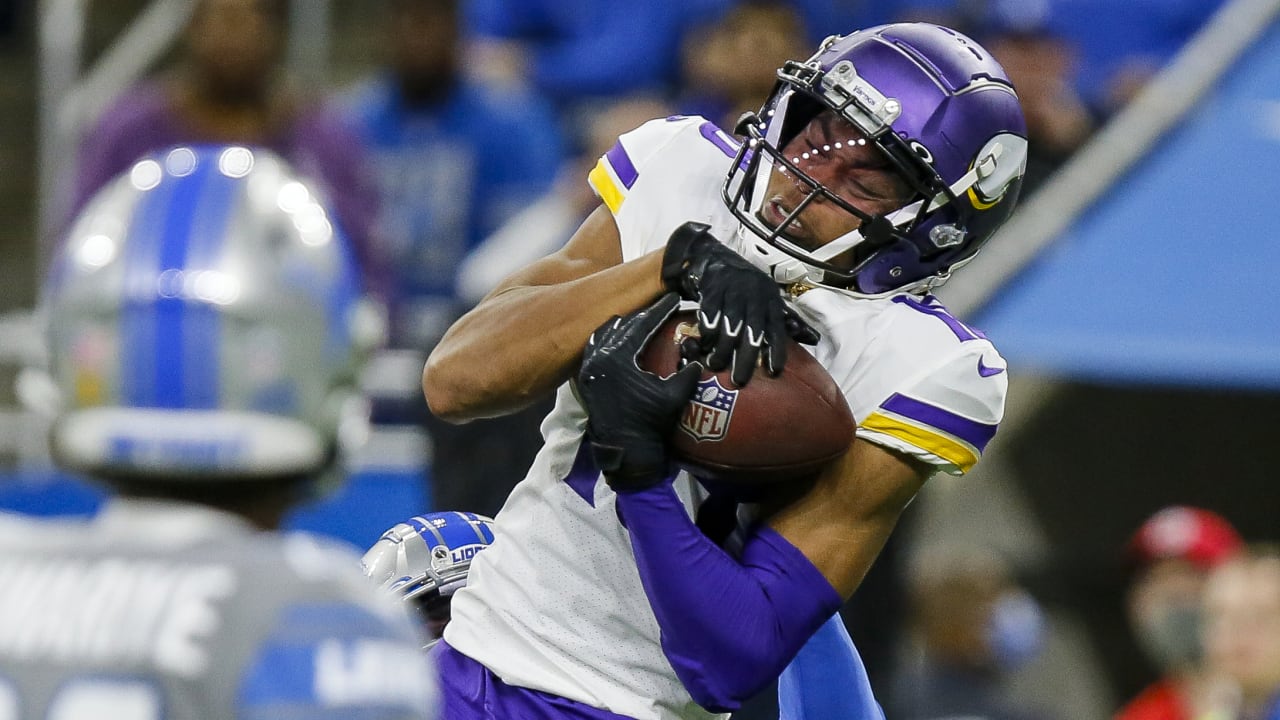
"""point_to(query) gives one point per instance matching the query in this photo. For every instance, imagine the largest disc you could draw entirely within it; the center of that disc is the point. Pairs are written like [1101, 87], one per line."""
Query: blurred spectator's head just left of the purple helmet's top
[728, 67]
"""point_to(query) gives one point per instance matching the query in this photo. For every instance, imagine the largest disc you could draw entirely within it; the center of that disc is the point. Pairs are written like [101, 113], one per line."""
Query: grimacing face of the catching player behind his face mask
[834, 153]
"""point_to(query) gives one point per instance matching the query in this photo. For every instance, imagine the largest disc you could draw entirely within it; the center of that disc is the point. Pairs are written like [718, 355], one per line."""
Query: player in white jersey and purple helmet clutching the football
[875, 170]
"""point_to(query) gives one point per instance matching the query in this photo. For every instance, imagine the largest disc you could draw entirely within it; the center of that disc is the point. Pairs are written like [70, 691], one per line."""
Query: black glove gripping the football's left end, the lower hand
[630, 411]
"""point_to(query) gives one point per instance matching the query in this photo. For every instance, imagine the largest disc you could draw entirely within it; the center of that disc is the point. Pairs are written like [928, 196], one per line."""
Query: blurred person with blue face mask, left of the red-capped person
[973, 626]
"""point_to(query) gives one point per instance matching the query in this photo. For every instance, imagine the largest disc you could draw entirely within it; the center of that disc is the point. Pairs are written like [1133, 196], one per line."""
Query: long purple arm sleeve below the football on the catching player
[729, 626]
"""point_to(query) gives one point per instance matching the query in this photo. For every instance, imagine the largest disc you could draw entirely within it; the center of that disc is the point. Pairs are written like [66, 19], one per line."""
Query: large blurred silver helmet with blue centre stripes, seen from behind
[205, 323]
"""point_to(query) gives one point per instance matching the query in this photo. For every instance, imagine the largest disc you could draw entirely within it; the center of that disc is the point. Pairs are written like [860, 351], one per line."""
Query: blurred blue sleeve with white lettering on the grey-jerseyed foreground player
[317, 663]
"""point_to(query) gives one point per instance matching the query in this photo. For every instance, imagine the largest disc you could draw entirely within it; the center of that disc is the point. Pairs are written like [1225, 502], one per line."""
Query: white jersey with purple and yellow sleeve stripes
[556, 604]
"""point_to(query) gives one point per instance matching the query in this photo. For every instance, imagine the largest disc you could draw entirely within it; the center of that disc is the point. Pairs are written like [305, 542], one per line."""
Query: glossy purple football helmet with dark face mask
[944, 116]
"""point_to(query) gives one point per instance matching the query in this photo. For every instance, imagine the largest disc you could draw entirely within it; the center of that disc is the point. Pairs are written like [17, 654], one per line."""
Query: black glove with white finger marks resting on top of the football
[742, 312]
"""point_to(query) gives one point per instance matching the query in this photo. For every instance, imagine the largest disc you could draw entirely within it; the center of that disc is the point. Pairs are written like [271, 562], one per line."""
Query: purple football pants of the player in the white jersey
[470, 691]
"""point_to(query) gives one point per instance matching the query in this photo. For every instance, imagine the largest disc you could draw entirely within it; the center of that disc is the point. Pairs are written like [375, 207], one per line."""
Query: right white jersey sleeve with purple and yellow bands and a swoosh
[950, 405]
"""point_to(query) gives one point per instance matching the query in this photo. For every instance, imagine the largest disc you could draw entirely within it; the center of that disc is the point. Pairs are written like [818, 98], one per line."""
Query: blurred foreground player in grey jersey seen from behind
[205, 332]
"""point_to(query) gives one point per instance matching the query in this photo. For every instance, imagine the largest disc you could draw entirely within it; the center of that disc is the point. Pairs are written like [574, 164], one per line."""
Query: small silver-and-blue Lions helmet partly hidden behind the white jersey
[427, 559]
